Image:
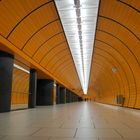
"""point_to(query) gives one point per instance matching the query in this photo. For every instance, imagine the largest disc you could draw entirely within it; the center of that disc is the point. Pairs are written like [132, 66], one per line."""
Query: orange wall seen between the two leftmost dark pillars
[20, 88]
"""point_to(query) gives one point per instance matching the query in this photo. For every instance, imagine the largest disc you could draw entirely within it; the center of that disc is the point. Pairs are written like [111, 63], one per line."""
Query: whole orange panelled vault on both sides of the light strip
[32, 29]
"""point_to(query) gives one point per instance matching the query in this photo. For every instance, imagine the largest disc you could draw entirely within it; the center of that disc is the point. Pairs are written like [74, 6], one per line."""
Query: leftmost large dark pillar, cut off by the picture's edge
[6, 70]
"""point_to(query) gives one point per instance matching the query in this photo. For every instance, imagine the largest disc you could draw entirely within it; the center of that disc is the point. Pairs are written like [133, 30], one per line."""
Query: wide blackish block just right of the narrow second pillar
[45, 90]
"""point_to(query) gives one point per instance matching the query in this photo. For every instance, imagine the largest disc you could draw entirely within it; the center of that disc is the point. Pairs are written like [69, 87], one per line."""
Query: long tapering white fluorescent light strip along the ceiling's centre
[79, 18]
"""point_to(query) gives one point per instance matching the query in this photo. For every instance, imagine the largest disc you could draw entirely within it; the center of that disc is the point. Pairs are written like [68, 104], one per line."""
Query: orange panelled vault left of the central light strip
[33, 27]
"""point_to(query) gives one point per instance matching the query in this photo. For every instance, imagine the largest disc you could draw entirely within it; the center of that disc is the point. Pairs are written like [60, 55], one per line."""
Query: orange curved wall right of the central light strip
[117, 44]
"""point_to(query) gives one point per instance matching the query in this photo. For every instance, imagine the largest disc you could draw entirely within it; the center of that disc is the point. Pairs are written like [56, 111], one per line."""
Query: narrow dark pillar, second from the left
[32, 89]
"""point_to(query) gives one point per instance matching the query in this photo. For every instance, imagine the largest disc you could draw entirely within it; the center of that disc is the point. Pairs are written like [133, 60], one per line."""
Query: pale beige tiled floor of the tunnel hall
[74, 121]
